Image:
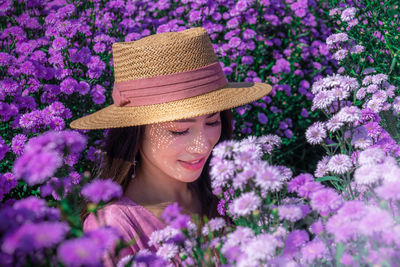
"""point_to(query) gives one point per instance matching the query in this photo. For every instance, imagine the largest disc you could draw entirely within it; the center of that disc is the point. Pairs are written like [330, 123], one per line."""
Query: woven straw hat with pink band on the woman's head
[166, 77]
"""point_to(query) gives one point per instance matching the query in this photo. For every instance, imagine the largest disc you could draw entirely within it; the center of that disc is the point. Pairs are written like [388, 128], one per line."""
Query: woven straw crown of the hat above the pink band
[162, 54]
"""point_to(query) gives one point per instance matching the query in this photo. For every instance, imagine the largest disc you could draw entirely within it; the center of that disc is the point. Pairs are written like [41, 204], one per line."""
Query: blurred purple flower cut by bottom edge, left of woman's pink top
[81, 251]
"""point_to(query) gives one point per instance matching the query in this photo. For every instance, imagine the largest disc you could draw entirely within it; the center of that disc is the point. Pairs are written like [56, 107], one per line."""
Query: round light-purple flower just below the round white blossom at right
[325, 200]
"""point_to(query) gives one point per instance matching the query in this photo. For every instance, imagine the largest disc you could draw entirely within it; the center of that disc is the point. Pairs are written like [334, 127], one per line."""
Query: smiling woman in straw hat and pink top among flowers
[171, 107]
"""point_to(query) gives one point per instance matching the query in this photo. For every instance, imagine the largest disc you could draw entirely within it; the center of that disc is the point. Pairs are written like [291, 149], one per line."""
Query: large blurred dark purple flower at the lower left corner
[31, 237]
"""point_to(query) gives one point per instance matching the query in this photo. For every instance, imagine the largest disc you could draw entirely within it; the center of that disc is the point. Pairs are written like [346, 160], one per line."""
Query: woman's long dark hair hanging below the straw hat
[120, 152]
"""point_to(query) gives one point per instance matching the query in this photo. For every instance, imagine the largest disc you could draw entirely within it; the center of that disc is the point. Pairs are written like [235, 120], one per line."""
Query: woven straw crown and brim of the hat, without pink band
[162, 54]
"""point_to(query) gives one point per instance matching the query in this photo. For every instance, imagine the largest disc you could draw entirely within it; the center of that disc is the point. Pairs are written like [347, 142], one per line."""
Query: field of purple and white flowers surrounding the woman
[312, 177]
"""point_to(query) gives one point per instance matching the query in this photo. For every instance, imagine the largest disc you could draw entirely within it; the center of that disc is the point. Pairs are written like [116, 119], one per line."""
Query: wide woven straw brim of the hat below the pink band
[230, 96]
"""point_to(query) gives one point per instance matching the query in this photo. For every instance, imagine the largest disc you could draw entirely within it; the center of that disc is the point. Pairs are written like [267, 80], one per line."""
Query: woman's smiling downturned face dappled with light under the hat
[179, 149]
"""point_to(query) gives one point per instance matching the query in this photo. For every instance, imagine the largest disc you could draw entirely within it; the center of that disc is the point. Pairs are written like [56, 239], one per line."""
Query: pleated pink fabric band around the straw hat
[167, 88]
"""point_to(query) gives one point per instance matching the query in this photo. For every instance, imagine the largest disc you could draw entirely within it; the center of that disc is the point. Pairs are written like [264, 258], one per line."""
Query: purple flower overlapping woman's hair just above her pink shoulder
[102, 190]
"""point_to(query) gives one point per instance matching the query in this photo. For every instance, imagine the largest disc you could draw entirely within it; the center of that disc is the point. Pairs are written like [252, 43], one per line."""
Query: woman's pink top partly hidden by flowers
[132, 220]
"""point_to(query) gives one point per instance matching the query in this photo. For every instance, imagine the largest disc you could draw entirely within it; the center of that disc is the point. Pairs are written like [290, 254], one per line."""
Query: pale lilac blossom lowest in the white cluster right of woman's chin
[245, 204]
